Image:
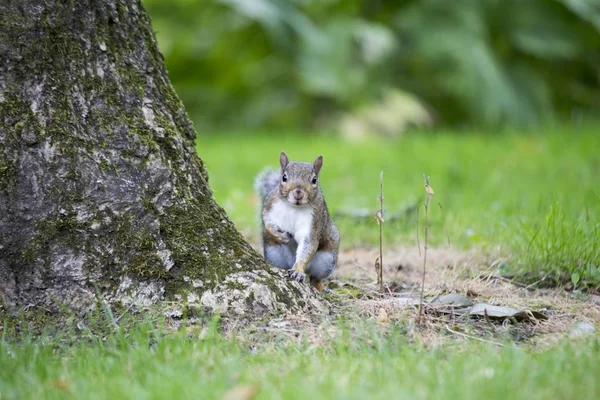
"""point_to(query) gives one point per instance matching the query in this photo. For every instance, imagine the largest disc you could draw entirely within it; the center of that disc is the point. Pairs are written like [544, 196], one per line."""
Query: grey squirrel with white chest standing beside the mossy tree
[298, 233]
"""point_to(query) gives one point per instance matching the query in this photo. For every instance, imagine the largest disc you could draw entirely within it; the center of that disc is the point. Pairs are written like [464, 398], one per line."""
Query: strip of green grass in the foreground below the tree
[147, 364]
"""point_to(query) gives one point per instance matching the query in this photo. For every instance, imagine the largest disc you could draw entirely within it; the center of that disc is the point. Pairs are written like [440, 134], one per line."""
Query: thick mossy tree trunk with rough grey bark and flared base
[101, 190]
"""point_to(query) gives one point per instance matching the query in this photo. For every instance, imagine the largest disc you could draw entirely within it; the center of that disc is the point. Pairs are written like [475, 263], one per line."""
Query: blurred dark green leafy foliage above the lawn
[352, 66]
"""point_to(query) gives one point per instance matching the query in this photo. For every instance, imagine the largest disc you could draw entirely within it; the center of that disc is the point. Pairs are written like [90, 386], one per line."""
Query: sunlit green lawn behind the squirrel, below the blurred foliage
[532, 196]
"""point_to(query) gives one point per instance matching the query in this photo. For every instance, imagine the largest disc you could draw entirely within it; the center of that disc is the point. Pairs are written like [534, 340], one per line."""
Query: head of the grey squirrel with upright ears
[299, 182]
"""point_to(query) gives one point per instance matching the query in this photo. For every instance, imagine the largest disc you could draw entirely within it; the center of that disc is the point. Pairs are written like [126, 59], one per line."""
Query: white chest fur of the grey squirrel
[296, 220]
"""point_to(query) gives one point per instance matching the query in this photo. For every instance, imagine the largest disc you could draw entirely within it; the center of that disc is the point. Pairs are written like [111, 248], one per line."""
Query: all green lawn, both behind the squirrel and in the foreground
[531, 196]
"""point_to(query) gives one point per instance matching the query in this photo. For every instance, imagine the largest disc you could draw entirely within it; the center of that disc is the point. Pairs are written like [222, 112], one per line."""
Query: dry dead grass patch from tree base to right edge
[449, 271]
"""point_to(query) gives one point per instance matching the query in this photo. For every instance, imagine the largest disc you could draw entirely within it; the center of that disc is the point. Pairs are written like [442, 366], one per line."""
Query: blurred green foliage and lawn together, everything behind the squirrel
[501, 99]
